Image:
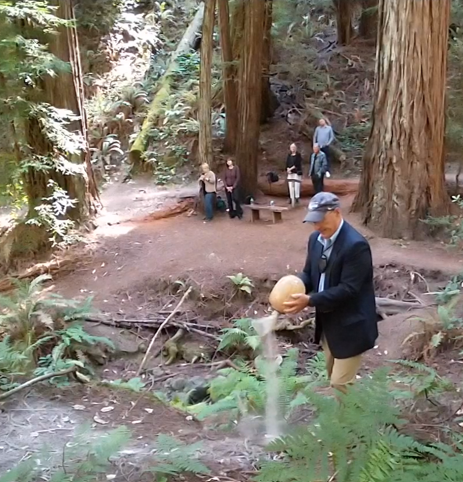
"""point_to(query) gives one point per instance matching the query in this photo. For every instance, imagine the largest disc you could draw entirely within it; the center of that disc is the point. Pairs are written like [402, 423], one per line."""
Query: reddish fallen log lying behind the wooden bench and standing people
[341, 187]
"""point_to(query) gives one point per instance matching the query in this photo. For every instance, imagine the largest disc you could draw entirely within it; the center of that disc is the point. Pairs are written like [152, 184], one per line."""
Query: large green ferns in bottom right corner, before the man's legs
[359, 440]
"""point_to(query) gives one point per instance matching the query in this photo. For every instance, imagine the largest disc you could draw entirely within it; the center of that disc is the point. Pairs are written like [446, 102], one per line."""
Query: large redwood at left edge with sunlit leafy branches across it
[44, 102]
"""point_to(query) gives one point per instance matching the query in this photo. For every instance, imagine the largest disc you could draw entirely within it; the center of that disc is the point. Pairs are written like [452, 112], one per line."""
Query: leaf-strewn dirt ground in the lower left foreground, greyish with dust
[45, 420]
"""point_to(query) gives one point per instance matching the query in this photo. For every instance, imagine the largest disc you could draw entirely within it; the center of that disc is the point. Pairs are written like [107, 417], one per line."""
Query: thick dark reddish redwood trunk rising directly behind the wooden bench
[250, 94]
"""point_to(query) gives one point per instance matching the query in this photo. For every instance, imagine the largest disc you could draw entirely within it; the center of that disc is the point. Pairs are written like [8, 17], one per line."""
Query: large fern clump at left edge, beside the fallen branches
[42, 334]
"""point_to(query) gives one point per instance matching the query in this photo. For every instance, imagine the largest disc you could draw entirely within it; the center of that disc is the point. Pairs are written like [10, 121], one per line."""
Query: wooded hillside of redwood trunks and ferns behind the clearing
[141, 109]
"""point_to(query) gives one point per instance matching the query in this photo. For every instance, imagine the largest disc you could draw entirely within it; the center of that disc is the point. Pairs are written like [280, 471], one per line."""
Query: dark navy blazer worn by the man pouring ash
[346, 309]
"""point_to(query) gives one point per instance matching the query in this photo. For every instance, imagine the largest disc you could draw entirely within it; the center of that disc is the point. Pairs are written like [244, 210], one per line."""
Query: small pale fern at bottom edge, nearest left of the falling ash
[173, 457]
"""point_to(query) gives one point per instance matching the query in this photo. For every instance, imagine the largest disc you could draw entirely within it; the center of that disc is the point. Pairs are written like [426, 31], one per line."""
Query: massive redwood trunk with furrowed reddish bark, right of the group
[403, 167]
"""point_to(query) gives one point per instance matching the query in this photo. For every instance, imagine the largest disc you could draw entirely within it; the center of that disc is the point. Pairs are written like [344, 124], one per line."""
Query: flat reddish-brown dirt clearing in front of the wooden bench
[131, 255]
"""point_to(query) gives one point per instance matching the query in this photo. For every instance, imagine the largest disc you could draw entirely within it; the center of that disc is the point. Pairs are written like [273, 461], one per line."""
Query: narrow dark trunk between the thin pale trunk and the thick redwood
[229, 78]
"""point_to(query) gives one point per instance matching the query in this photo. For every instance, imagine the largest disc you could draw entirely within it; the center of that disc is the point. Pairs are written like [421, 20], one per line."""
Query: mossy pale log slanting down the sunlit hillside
[165, 83]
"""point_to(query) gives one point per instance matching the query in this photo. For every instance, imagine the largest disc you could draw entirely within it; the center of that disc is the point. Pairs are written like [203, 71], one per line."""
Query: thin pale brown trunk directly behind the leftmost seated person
[205, 85]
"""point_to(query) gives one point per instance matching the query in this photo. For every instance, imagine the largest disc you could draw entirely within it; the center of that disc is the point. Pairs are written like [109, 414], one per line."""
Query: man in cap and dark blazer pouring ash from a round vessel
[338, 277]
